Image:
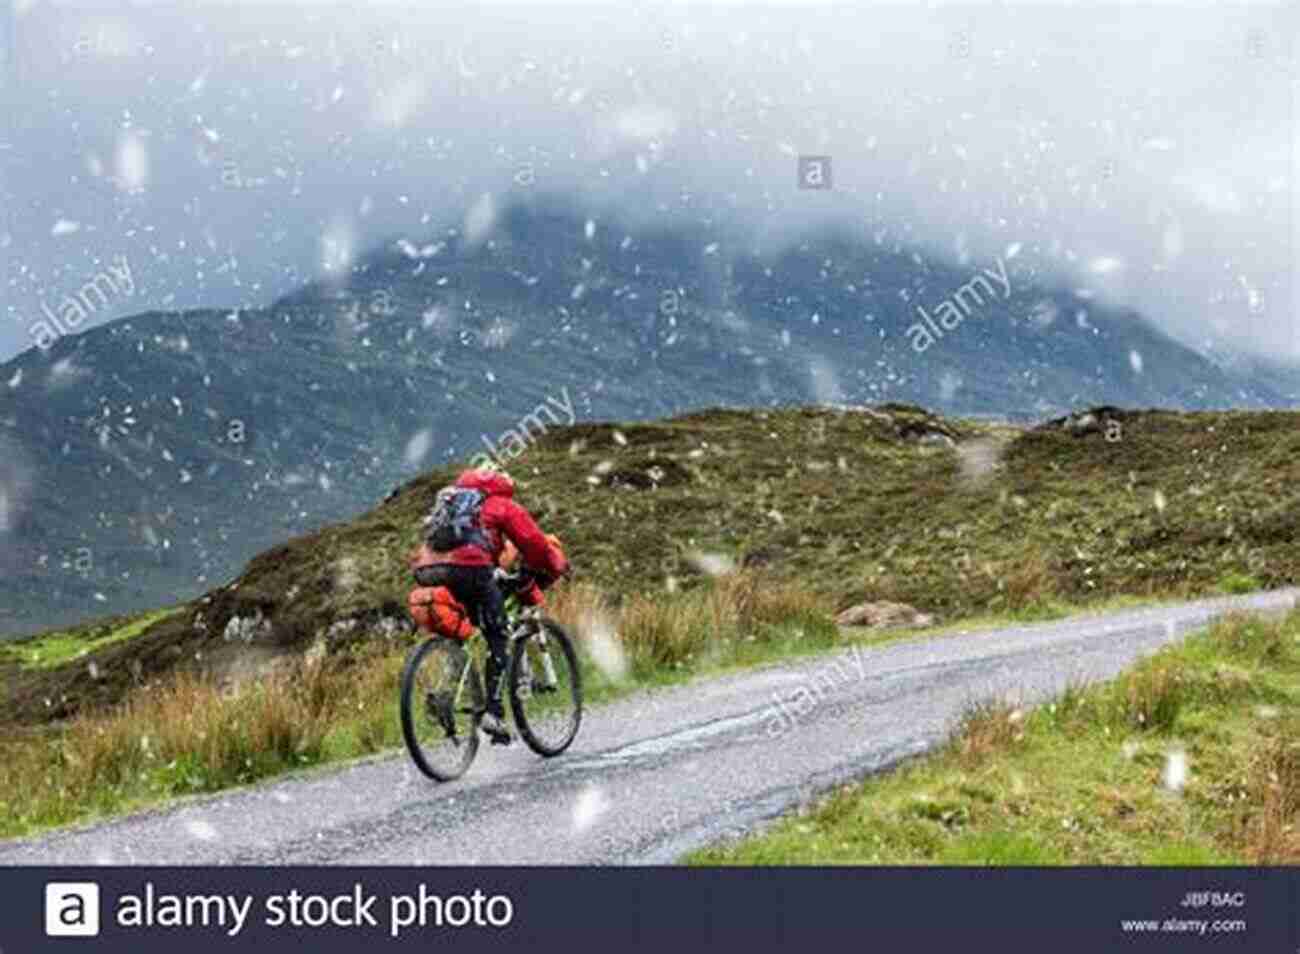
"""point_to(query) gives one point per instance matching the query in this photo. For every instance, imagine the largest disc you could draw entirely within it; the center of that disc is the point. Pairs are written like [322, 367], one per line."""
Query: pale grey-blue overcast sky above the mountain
[223, 155]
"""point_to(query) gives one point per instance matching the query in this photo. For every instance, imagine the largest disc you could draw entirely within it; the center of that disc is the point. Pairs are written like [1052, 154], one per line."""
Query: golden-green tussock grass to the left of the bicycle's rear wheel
[192, 735]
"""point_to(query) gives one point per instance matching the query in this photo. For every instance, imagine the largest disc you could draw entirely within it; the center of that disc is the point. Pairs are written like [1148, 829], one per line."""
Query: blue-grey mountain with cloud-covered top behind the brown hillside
[145, 461]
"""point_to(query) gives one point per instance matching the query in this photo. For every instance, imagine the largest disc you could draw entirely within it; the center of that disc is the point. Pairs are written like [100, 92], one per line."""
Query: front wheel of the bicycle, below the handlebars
[547, 688]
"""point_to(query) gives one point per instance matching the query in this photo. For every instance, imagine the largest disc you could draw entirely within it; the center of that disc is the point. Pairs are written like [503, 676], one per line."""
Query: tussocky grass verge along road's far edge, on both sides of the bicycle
[190, 735]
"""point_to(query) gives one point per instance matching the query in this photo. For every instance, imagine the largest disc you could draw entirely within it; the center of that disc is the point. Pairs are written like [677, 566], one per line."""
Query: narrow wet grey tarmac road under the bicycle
[649, 778]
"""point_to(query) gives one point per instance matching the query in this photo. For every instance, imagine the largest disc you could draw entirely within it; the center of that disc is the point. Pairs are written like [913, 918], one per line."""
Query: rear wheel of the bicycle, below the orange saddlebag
[441, 706]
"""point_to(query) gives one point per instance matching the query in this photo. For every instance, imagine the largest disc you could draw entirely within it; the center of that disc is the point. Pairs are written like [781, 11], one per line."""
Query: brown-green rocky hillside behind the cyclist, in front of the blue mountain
[955, 517]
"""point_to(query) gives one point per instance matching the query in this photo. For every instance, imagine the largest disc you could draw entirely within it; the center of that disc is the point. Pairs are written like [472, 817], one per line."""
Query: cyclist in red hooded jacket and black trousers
[469, 573]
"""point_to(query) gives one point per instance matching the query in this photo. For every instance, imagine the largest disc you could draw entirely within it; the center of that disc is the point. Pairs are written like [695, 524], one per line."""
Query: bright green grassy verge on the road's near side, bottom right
[1190, 758]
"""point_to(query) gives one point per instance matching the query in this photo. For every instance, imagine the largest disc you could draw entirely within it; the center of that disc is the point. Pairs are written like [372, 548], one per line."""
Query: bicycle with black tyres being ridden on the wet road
[444, 700]
